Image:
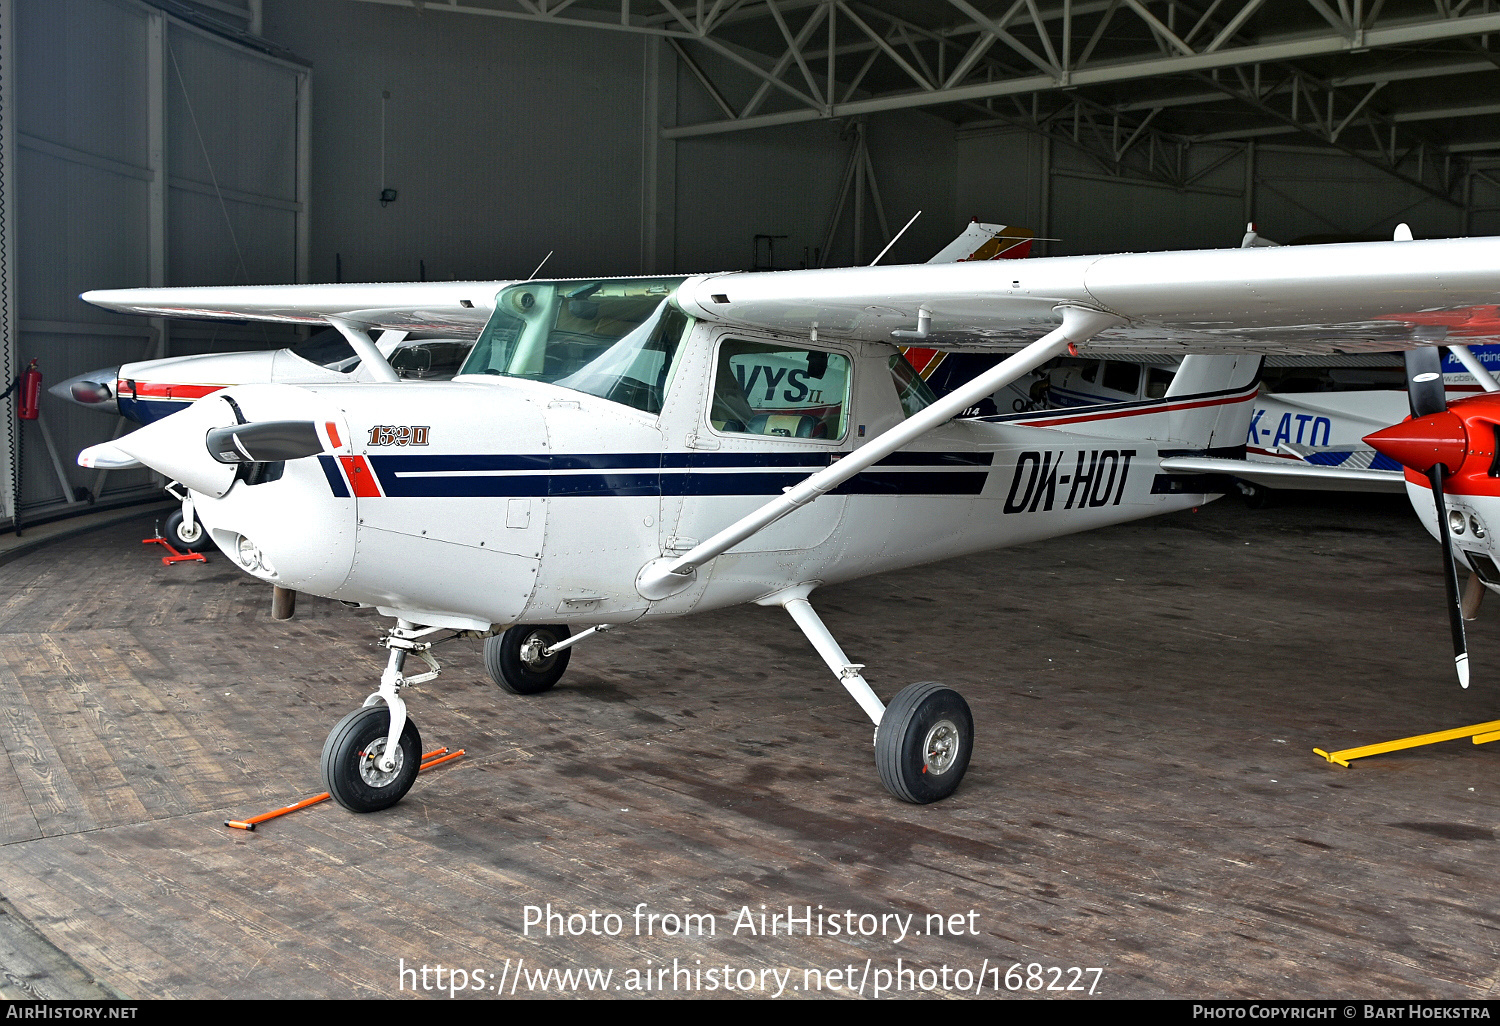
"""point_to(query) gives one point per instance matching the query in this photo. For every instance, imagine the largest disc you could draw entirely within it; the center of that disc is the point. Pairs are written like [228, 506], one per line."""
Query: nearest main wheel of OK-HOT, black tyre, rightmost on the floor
[923, 745]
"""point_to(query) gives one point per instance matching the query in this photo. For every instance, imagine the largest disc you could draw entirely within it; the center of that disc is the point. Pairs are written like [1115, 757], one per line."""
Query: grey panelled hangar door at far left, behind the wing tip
[148, 152]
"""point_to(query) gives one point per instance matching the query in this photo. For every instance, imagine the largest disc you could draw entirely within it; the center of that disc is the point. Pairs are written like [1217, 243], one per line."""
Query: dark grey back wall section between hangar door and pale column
[503, 140]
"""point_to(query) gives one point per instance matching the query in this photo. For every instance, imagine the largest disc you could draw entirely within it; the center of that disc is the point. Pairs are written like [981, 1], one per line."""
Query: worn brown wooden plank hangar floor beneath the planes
[1144, 799]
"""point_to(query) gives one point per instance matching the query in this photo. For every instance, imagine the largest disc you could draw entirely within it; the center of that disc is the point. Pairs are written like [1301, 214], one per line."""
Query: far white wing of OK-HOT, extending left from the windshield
[458, 308]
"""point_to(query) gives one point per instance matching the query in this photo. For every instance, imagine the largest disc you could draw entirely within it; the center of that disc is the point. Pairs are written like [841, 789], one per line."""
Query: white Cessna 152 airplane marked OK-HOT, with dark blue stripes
[632, 449]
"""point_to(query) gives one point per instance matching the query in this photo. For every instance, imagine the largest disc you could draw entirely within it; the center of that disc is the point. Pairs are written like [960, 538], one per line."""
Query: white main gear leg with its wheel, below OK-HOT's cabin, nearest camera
[923, 739]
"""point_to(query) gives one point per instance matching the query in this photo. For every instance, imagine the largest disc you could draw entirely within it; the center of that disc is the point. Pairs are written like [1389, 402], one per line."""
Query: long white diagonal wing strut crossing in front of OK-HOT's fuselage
[670, 575]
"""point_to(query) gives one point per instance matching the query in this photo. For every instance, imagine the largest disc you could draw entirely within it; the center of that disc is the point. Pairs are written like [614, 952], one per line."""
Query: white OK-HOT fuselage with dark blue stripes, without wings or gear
[493, 502]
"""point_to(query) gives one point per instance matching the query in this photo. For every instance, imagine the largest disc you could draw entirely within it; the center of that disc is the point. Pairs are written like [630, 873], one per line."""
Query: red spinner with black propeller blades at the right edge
[1433, 443]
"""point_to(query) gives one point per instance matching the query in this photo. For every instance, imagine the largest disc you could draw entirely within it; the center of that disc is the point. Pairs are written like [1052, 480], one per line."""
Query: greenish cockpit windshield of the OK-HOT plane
[614, 340]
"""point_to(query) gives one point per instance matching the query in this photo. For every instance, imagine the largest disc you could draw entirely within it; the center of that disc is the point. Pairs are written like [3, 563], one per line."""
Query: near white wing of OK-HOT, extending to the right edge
[1288, 299]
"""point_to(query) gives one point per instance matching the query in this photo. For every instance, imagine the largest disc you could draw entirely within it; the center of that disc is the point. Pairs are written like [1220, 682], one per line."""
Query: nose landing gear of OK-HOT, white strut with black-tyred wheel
[371, 758]
